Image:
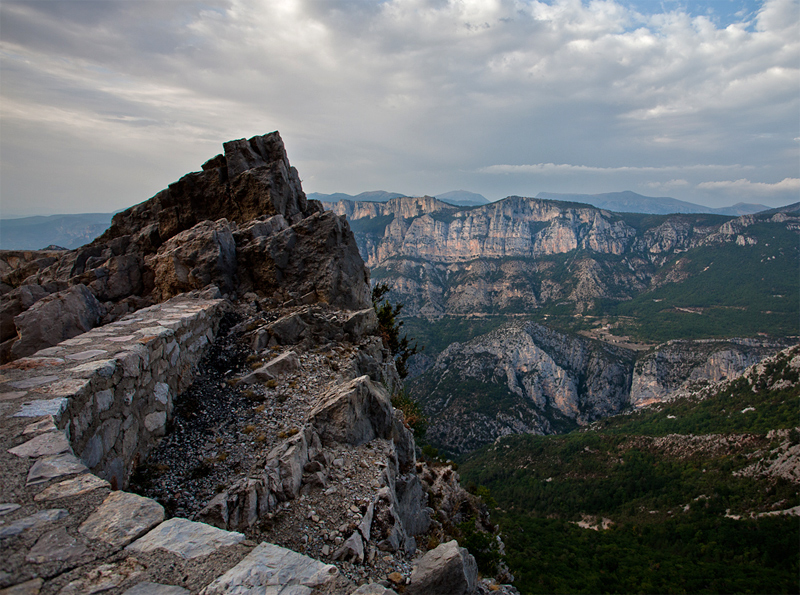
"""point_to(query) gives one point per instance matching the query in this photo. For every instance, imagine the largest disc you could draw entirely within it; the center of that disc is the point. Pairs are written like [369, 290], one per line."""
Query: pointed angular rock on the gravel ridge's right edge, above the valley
[354, 414]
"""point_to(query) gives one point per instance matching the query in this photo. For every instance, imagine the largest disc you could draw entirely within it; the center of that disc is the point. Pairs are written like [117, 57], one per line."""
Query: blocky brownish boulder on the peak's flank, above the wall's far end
[200, 256]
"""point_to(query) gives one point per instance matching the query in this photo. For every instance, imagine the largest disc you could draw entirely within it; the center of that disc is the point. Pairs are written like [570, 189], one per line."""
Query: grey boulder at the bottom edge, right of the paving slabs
[446, 570]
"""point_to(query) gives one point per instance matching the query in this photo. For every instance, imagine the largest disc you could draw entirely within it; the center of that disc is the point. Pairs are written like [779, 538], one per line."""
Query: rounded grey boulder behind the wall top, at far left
[55, 318]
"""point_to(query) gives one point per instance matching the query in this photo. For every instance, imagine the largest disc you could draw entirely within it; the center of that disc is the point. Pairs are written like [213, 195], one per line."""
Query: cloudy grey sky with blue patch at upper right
[104, 103]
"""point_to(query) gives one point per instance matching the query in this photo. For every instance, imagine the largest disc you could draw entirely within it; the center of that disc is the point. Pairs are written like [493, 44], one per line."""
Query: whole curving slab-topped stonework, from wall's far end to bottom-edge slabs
[107, 395]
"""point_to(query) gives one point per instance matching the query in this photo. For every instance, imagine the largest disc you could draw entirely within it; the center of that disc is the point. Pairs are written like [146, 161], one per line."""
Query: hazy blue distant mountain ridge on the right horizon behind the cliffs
[631, 202]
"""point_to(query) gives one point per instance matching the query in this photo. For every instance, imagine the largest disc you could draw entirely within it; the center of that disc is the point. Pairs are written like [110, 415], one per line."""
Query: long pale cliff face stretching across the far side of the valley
[522, 253]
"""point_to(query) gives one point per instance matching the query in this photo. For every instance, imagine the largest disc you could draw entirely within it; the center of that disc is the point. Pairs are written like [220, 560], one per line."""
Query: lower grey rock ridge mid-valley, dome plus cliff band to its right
[528, 378]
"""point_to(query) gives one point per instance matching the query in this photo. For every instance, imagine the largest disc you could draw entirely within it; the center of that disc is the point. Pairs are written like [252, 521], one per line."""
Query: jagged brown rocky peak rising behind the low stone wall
[242, 224]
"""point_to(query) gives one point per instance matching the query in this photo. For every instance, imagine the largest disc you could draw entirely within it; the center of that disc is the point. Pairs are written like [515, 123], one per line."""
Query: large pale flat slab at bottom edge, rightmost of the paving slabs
[270, 565]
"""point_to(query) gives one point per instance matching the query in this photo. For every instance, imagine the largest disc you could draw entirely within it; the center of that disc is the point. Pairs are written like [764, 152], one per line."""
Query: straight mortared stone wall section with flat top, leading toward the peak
[111, 389]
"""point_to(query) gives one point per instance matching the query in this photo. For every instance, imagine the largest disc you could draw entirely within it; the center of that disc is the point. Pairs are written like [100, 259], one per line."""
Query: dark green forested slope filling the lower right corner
[671, 486]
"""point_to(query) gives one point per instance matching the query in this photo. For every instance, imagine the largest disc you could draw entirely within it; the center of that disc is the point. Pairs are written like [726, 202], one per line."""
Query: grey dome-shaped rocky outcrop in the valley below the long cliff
[522, 378]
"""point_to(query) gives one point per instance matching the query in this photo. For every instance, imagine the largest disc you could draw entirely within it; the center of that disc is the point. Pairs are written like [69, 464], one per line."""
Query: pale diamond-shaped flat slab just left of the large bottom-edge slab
[185, 538]
